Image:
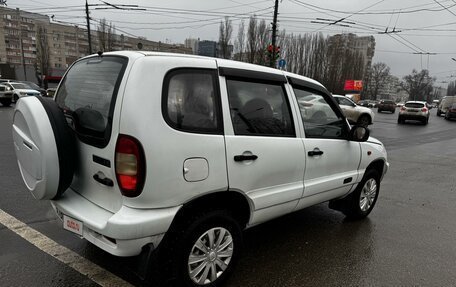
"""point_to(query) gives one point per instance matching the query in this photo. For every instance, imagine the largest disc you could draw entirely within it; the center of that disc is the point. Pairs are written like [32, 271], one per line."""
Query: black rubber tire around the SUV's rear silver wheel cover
[179, 244]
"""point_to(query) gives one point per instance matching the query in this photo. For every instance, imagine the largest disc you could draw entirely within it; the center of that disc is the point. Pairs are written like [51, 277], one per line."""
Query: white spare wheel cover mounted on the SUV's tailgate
[44, 146]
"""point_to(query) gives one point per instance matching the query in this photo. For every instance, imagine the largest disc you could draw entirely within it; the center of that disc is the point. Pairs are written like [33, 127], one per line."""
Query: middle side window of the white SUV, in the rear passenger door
[259, 108]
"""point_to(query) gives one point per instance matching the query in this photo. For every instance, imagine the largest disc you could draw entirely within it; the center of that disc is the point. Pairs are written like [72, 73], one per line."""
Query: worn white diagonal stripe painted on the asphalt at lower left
[87, 268]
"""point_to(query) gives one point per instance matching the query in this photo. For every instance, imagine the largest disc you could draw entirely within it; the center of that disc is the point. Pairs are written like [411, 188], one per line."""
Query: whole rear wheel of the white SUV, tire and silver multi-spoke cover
[205, 252]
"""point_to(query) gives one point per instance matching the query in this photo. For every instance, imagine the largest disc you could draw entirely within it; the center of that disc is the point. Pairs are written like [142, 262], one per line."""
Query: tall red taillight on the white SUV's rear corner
[130, 166]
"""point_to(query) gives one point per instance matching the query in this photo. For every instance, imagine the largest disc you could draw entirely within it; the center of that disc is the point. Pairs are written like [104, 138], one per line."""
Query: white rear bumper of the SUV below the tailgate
[123, 233]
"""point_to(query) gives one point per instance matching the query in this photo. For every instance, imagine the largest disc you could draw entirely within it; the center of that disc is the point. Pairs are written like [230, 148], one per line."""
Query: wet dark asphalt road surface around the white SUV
[408, 239]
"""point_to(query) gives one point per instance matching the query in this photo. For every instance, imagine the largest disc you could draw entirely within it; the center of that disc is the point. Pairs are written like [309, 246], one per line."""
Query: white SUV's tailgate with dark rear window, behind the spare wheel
[90, 96]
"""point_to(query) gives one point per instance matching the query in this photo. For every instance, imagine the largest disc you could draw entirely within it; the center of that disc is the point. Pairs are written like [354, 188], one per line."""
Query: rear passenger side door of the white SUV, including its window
[265, 156]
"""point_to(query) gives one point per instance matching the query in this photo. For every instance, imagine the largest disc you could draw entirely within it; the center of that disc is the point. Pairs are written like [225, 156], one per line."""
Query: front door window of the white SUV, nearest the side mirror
[318, 117]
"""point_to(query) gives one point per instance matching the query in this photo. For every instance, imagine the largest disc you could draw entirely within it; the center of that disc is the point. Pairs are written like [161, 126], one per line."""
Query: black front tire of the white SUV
[351, 206]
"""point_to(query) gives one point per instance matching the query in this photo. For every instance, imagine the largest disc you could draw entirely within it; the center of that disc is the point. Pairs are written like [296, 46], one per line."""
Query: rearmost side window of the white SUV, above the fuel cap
[191, 102]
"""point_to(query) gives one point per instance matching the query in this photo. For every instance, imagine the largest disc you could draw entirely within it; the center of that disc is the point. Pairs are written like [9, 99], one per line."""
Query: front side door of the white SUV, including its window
[331, 160]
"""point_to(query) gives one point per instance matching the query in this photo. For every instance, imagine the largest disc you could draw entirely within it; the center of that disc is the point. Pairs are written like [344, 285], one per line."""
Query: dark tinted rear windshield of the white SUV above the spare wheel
[87, 95]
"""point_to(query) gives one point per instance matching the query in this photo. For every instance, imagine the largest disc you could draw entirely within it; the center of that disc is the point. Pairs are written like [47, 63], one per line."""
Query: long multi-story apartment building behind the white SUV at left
[22, 34]
